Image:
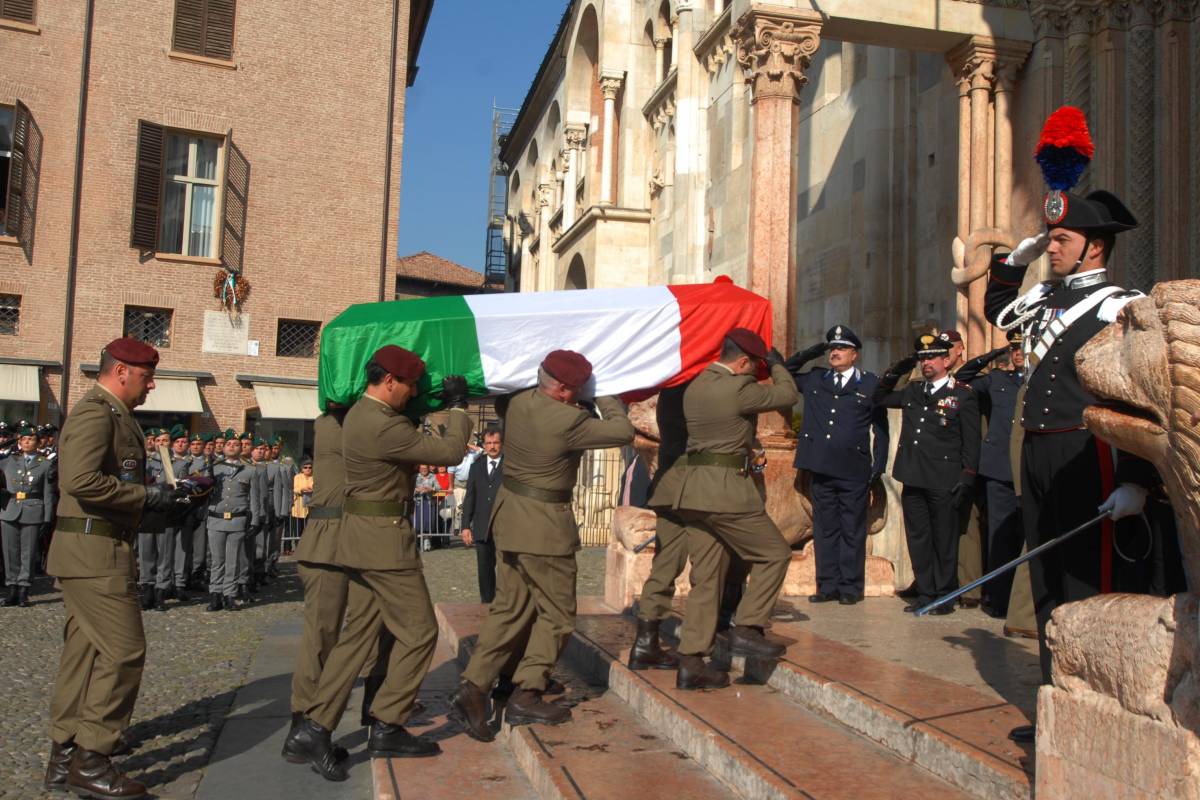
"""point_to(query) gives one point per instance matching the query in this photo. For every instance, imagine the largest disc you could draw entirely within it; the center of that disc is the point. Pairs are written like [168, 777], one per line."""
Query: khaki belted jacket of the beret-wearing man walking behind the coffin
[103, 461]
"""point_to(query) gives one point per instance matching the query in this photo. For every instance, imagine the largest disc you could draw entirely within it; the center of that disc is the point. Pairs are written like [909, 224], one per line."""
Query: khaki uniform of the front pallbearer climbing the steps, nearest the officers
[722, 507]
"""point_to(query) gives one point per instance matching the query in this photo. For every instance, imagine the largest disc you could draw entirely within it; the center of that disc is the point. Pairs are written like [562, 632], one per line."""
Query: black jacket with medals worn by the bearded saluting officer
[939, 435]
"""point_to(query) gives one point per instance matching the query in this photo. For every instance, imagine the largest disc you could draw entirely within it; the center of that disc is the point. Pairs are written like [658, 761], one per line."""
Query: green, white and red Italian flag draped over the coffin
[638, 339]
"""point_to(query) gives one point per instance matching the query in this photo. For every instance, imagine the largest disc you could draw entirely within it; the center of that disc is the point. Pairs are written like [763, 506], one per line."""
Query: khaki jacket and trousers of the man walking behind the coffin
[103, 479]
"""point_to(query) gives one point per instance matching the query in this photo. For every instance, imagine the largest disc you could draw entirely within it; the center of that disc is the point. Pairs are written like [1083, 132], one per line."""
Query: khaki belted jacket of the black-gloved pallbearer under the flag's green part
[382, 450]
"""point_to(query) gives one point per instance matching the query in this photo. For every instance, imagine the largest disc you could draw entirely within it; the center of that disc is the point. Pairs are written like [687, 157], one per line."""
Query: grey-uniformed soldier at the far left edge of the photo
[29, 497]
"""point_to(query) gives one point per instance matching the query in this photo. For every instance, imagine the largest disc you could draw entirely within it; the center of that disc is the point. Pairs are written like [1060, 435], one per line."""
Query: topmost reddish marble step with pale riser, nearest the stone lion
[956, 732]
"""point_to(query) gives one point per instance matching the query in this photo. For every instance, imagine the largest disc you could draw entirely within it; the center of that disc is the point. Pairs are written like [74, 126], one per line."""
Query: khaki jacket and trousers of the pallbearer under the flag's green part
[377, 546]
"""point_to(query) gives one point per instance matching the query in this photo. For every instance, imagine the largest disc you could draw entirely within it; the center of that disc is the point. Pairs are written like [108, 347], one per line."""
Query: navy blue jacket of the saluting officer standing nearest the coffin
[836, 437]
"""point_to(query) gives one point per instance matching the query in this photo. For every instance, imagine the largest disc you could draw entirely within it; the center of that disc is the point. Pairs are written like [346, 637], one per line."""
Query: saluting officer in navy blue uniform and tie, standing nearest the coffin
[837, 449]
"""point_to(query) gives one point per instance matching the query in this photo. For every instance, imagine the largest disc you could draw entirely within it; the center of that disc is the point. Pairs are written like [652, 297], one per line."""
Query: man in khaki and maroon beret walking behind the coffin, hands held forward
[104, 498]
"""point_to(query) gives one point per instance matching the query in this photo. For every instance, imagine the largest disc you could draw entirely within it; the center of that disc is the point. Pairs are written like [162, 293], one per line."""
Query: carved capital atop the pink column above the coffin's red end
[775, 50]
